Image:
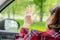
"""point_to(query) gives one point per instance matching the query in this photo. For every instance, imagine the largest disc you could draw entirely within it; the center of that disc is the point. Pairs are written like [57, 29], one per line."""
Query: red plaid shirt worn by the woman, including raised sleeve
[39, 35]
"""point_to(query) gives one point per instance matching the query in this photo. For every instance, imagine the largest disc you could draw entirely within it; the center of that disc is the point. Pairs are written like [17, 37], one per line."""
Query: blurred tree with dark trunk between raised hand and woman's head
[40, 4]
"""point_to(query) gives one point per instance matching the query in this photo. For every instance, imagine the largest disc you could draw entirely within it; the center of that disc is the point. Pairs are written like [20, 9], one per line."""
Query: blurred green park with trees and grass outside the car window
[41, 10]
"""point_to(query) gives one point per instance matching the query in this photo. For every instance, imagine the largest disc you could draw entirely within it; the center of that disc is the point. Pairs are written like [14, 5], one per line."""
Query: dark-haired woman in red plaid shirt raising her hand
[52, 26]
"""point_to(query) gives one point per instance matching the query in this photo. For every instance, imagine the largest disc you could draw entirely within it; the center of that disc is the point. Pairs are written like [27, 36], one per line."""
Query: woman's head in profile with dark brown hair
[53, 22]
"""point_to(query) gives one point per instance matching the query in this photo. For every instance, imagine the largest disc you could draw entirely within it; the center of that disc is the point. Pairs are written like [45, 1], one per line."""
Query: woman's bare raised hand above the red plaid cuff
[29, 18]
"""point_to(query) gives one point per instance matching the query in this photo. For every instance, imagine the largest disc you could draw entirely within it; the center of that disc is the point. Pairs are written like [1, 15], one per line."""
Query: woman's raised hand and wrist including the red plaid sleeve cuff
[28, 20]
